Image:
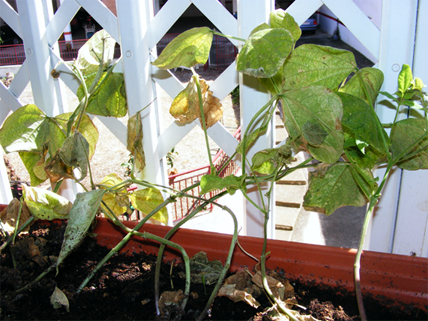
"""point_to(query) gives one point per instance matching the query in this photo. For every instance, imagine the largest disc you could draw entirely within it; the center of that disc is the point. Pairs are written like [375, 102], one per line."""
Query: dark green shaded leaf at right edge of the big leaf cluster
[360, 119]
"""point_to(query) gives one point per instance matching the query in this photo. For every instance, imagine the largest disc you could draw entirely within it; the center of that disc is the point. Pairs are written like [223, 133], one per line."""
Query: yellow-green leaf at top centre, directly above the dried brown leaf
[190, 48]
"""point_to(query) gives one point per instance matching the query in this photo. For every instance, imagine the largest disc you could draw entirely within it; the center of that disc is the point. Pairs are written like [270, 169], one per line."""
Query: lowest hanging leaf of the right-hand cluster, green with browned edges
[333, 189]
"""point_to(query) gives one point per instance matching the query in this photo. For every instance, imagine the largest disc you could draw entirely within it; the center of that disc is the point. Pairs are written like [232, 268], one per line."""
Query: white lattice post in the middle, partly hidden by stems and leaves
[252, 97]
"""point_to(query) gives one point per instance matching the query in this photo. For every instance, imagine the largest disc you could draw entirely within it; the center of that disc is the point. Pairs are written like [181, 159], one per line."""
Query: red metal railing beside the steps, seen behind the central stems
[184, 205]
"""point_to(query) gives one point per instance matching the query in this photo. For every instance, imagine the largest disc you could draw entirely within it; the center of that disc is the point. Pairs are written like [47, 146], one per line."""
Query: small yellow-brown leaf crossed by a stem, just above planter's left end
[117, 201]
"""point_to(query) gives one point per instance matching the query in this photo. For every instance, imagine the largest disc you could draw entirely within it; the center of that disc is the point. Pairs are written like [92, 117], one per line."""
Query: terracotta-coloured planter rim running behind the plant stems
[392, 279]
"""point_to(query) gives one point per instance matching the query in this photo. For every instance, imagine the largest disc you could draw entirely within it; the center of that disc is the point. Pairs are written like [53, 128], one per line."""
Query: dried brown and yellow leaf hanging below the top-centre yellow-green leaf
[185, 107]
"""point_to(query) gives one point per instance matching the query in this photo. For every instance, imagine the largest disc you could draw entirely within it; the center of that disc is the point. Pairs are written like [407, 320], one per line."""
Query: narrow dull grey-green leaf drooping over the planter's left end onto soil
[80, 219]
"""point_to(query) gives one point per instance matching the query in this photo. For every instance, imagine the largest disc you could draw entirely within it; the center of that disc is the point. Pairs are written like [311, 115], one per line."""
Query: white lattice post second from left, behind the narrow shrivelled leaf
[134, 19]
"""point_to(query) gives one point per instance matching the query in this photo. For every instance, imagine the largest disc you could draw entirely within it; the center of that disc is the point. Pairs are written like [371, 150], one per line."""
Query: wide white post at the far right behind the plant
[401, 213]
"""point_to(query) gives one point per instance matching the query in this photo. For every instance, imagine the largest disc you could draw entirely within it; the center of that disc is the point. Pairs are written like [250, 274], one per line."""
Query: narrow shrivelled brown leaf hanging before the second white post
[135, 141]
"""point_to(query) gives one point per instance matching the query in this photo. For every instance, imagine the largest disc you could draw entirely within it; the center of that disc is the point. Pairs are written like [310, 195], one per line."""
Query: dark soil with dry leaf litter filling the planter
[123, 288]
